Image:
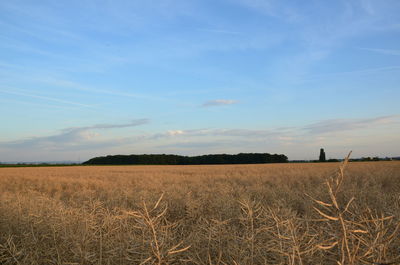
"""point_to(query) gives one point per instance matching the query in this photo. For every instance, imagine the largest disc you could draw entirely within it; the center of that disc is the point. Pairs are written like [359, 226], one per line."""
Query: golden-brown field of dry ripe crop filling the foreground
[228, 214]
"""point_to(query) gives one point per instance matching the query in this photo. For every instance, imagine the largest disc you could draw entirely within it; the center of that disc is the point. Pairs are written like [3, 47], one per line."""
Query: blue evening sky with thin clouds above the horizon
[85, 78]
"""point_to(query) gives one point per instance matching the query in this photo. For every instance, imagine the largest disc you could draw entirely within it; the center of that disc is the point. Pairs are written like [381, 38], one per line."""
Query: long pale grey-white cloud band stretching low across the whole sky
[77, 136]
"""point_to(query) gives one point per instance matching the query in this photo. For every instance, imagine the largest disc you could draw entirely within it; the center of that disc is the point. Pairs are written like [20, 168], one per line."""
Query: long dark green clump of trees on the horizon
[162, 159]
